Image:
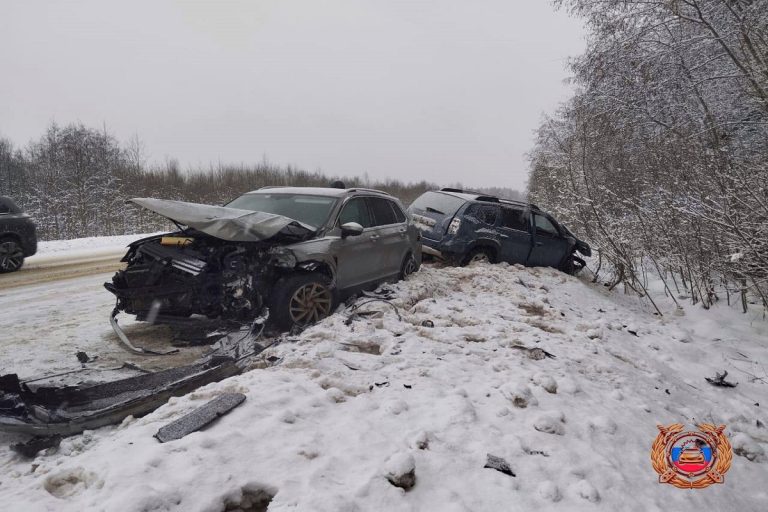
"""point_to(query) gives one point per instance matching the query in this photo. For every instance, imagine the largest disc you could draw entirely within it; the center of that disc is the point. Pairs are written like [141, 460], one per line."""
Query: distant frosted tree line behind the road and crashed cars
[75, 180]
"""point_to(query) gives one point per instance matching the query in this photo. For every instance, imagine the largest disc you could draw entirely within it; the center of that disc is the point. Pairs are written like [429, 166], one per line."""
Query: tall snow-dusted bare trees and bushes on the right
[660, 157]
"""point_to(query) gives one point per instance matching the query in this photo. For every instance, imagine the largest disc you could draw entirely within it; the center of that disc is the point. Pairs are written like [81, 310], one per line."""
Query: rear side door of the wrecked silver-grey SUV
[389, 235]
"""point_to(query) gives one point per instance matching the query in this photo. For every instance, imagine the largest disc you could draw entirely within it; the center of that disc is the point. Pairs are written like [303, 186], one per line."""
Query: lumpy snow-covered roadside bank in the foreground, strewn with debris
[348, 402]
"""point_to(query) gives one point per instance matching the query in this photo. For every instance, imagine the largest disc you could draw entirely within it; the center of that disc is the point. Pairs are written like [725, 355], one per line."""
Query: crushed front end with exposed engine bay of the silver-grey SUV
[177, 275]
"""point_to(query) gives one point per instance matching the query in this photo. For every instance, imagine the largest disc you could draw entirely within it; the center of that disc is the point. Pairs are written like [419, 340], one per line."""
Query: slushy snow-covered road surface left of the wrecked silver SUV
[48, 315]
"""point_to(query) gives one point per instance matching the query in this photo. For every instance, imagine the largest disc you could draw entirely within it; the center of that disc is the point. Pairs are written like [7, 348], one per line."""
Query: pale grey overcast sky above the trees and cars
[441, 90]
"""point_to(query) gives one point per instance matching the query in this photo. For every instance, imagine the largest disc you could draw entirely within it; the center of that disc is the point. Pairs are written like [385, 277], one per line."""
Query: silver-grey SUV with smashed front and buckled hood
[296, 251]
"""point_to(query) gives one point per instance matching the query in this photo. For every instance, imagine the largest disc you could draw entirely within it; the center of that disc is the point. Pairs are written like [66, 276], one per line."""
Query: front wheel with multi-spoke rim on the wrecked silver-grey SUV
[300, 300]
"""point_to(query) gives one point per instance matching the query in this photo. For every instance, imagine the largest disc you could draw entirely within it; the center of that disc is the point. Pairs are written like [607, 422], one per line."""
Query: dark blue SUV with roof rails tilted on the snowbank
[460, 227]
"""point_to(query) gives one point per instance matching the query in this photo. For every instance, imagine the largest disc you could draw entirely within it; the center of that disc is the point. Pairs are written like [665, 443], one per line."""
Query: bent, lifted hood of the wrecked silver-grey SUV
[231, 224]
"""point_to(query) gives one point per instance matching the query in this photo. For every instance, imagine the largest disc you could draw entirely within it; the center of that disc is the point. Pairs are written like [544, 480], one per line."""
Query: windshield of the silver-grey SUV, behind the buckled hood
[311, 210]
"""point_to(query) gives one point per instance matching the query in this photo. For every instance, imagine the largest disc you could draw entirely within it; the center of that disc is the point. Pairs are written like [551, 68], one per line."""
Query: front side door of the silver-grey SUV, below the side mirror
[357, 257]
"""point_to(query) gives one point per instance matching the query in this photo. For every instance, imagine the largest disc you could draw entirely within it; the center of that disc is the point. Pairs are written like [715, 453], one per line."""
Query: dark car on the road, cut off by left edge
[18, 237]
